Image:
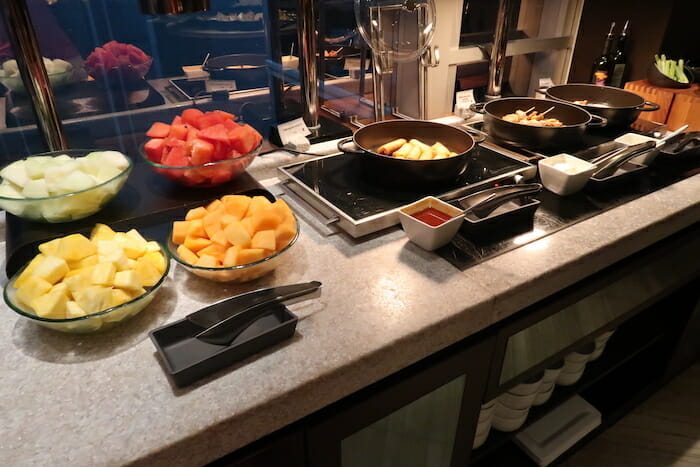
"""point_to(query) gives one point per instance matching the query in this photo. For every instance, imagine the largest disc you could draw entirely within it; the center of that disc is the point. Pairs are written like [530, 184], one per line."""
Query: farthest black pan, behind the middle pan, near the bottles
[621, 108]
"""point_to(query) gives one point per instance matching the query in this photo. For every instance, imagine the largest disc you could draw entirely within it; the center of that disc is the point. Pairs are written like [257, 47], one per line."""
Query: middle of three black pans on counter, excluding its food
[575, 120]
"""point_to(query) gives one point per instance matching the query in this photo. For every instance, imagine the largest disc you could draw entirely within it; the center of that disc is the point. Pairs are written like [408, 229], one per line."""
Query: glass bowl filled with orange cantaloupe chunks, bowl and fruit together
[237, 238]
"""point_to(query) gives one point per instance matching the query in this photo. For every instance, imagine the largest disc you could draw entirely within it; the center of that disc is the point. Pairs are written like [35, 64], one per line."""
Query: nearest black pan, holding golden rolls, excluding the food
[411, 173]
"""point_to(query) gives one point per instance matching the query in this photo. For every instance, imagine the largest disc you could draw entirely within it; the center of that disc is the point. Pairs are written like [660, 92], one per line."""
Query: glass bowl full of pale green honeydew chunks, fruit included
[62, 186]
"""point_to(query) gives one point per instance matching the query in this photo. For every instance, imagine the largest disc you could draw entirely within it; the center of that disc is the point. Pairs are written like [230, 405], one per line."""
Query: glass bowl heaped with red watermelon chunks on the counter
[201, 149]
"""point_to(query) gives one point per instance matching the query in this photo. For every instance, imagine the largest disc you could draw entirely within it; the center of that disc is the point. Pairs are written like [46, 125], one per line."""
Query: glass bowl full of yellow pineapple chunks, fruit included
[78, 284]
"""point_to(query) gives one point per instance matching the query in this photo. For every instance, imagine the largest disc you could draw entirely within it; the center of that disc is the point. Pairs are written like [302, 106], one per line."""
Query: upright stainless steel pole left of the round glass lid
[308, 43]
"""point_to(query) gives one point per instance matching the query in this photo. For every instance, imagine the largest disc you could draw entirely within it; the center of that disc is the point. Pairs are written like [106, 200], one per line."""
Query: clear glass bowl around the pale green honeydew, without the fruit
[69, 206]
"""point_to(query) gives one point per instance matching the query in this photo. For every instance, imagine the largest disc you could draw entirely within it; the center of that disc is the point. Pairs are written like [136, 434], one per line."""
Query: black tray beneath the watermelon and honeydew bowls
[148, 203]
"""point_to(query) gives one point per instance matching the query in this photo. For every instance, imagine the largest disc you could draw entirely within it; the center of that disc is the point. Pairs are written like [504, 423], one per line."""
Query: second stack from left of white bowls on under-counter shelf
[512, 407]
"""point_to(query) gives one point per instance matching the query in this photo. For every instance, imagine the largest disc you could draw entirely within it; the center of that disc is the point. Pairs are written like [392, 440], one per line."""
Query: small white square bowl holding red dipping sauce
[427, 236]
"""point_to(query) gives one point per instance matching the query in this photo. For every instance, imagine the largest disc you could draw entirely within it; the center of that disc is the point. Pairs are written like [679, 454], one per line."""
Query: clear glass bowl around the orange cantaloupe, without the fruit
[239, 274]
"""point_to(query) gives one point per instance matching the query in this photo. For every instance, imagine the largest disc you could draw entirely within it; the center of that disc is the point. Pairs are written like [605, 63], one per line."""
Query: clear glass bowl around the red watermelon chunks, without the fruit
[205, 175]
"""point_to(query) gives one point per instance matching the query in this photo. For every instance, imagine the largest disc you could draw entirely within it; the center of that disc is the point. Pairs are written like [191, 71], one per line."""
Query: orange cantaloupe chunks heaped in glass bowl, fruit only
[233, 231]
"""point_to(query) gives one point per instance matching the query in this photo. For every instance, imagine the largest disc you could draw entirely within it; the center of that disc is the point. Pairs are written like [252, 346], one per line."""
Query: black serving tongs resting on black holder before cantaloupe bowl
[226, 320]
